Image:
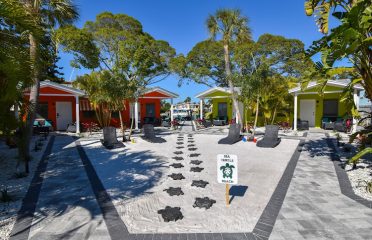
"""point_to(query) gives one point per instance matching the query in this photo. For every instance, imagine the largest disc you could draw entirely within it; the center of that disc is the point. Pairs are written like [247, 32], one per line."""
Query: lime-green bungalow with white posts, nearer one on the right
[318, 109]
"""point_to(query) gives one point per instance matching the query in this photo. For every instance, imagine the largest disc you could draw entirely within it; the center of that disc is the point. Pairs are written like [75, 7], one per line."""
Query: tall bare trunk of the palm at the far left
[24, 151]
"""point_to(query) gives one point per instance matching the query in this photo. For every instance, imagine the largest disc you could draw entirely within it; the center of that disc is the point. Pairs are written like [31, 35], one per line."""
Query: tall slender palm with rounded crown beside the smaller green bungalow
[232, 27]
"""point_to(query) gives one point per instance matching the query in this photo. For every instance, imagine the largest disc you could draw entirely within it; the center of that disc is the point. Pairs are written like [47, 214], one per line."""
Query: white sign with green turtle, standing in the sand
[227, 168]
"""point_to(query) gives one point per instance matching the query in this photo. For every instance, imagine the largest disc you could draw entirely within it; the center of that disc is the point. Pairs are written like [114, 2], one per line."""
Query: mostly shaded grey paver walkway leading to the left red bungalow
[67, 207]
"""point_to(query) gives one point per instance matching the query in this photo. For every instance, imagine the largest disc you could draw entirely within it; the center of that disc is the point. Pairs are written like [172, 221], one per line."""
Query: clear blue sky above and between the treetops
[182, 24]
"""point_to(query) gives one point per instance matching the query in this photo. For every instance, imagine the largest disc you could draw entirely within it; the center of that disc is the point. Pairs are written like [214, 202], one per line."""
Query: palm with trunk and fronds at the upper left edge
[47, 14]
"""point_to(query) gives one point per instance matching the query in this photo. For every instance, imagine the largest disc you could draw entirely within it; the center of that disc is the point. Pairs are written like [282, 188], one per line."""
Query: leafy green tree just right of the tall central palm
[266, 70]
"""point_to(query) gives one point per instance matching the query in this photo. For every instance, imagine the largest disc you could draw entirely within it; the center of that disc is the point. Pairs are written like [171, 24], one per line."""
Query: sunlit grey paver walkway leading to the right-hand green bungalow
[314, 207]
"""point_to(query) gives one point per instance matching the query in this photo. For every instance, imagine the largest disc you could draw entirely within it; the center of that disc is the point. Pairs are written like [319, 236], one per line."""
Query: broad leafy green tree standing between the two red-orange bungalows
[117, 43]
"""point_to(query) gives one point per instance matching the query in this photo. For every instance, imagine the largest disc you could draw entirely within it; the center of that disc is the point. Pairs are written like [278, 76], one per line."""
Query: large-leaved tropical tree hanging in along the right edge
[351, 39]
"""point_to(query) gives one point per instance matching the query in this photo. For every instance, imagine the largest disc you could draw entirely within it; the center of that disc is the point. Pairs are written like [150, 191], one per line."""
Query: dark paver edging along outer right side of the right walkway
[342, 177]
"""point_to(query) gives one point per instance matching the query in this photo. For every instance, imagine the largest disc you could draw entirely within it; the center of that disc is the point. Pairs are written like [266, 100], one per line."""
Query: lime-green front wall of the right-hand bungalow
[342, 108]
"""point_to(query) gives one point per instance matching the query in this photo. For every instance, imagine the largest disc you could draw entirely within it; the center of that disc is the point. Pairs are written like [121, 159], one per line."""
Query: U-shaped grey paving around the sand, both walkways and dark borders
[72, 203]
